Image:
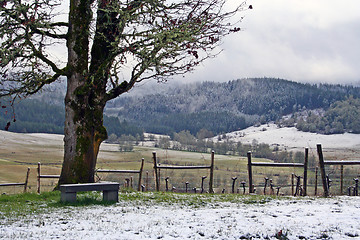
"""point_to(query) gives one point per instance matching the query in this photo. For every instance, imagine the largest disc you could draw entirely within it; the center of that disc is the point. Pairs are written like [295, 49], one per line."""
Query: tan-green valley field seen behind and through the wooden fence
[20, 151]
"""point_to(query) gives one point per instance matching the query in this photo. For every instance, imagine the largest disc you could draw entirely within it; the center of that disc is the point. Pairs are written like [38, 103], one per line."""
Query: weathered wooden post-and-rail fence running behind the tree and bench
[158, 167]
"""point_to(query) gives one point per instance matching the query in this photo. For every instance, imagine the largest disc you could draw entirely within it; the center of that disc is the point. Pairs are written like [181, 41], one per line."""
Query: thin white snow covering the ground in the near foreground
[306, 218]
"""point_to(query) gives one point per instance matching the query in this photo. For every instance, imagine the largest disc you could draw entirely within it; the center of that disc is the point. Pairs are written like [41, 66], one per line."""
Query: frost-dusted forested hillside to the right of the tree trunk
[225, 107]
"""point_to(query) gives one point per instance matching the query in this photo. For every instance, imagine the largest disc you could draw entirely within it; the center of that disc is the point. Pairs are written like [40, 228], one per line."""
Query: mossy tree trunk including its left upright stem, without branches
[84, 104]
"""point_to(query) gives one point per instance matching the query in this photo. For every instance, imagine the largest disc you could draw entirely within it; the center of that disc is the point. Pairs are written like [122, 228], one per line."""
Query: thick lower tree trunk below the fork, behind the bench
[84, 132]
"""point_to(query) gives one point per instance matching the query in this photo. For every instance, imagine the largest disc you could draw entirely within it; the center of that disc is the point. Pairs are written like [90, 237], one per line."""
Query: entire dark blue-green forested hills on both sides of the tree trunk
[216, 107]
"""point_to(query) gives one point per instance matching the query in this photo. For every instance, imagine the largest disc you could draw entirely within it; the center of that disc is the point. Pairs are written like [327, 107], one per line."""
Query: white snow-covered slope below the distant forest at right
[292, 138]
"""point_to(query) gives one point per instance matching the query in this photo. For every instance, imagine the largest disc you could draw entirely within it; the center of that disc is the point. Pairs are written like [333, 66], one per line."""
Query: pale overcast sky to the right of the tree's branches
[300, 40]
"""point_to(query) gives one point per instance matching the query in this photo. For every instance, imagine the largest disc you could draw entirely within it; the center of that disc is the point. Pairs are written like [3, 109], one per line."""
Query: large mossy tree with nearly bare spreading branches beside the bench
[104, 39]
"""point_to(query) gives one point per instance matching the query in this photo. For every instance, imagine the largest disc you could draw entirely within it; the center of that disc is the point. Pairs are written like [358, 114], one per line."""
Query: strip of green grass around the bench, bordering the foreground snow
[14, 206]
